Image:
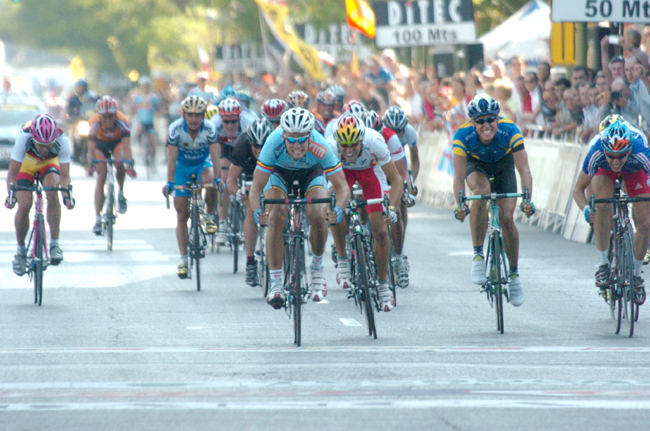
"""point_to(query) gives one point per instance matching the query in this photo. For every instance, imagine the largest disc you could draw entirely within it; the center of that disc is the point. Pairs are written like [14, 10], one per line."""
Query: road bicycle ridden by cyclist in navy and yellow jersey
[496, 262]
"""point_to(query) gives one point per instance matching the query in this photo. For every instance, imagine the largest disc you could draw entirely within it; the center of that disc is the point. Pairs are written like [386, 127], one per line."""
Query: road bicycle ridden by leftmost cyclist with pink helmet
[38, 258]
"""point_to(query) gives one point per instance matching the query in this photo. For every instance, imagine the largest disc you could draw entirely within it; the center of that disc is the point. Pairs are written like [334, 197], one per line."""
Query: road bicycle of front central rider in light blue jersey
[295, 282]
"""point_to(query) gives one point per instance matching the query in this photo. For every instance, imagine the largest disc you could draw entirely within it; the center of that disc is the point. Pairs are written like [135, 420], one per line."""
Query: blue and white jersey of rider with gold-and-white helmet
[192, 152]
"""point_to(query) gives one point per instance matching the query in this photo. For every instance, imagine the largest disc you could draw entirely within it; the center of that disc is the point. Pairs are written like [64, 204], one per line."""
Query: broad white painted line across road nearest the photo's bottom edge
[604, 404]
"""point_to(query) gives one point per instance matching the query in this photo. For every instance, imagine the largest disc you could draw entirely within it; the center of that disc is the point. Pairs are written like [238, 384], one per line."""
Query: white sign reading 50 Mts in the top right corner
[622, 11]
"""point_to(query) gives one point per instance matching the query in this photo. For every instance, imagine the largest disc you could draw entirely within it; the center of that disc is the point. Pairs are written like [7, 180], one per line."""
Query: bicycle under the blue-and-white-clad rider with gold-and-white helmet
[197, 241]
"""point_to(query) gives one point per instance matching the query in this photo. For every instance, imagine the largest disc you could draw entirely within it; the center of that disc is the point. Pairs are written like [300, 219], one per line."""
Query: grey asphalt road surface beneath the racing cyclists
[121, 343]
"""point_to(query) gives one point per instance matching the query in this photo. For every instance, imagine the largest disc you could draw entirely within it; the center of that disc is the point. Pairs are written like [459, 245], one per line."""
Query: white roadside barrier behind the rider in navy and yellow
[554, 166]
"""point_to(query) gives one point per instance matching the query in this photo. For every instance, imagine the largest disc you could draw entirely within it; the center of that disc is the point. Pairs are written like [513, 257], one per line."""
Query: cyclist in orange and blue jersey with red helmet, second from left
[109, 133]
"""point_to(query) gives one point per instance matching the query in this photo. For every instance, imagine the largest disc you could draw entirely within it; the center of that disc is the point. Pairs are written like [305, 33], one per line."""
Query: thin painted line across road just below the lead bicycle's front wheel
[340, 349]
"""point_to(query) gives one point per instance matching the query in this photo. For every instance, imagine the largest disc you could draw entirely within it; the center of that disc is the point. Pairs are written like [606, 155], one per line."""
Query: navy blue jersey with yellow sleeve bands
[507, 140]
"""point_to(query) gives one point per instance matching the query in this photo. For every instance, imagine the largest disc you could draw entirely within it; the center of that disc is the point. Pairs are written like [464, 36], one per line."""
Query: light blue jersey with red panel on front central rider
[274, 154]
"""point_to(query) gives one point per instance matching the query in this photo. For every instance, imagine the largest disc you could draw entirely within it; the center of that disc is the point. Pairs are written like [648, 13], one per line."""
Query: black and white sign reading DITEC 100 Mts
[424, 22]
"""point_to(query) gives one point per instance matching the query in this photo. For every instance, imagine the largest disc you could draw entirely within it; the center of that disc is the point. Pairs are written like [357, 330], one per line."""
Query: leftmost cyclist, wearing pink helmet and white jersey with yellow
[41, 147]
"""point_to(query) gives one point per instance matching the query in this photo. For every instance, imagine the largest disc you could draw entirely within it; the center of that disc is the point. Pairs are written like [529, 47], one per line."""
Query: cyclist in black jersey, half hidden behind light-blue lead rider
[244, 159]
